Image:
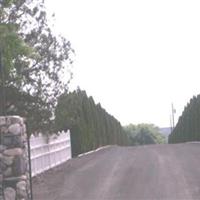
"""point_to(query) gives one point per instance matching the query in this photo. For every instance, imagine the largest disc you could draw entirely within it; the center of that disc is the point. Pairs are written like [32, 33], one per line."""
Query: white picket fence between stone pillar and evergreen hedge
[47, 153]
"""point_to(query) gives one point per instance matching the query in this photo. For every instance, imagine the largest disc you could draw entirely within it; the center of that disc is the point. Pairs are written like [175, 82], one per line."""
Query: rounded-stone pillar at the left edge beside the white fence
[14, 176]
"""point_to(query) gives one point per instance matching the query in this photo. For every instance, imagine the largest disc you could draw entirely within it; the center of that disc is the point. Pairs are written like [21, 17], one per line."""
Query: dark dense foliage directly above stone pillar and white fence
[37, 114]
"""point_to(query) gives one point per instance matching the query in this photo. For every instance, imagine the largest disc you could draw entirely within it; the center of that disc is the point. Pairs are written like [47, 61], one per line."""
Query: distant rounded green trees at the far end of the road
[144, 134]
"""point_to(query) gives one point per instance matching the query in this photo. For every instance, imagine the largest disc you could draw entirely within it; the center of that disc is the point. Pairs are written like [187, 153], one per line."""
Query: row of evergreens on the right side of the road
[188, 126]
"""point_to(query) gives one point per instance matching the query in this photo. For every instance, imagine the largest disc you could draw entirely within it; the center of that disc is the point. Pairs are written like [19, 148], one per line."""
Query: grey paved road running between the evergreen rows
[166, 172]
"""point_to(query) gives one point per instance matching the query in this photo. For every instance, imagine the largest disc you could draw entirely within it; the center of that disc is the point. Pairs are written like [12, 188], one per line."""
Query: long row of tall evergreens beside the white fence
[91, 126]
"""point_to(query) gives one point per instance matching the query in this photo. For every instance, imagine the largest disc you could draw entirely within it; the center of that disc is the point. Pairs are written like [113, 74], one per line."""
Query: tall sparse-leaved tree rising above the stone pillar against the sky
[33, 61]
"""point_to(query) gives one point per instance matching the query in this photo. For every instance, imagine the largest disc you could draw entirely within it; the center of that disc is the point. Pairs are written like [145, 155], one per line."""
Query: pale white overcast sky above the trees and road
[134, 57]
